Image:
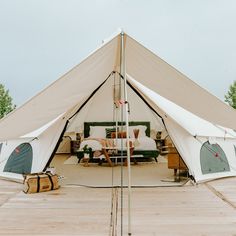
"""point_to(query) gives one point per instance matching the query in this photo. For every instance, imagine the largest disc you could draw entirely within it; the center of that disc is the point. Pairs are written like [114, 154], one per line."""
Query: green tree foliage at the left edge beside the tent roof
[6, 105]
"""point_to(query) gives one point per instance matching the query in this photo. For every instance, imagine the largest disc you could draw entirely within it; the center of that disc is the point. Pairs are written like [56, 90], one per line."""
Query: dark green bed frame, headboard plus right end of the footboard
[145, 153]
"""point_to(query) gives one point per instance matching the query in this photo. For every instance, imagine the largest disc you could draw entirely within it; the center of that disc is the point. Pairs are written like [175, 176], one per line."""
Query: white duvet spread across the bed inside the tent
[145, 143]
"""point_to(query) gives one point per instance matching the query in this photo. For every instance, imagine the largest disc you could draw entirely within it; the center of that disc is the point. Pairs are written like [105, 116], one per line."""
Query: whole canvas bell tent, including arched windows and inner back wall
[200, 125]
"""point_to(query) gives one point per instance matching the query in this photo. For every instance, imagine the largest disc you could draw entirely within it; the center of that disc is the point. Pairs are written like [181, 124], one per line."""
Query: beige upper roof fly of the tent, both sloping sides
[147, 68]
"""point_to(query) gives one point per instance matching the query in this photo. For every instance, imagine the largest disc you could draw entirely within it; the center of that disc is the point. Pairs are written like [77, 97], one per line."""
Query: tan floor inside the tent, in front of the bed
[143, 174]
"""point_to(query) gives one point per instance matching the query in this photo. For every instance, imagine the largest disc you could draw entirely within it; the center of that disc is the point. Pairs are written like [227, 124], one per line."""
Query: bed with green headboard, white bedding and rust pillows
[95, 134]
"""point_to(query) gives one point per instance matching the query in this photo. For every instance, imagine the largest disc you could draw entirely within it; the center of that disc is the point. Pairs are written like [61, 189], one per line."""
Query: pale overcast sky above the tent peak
[42, 39]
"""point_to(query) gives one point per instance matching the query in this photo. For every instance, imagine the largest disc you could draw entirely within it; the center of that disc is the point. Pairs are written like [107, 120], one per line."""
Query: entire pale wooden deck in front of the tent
[204, 209]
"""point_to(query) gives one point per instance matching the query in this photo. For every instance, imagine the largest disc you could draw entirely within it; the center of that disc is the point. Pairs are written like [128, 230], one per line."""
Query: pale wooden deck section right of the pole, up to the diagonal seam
[181, 211]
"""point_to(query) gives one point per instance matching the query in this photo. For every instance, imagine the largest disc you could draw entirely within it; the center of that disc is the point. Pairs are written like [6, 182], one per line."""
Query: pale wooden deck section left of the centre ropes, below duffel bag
[67, 211]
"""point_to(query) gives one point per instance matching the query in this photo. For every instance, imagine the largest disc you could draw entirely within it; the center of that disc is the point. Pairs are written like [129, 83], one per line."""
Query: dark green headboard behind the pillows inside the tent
[111, 123]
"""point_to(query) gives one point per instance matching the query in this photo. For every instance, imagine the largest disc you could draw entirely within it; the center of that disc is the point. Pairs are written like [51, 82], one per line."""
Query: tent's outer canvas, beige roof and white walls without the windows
[43, 119]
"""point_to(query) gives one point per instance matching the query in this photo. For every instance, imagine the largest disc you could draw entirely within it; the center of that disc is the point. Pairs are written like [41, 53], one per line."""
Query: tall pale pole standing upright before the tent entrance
[123, 73]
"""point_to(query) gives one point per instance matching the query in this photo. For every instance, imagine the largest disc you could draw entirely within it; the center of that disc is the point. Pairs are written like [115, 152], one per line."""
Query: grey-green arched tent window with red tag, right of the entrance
[213, 159]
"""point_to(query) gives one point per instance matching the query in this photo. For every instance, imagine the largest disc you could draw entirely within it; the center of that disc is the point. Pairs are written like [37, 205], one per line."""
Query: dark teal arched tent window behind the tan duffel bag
[20, 160]
